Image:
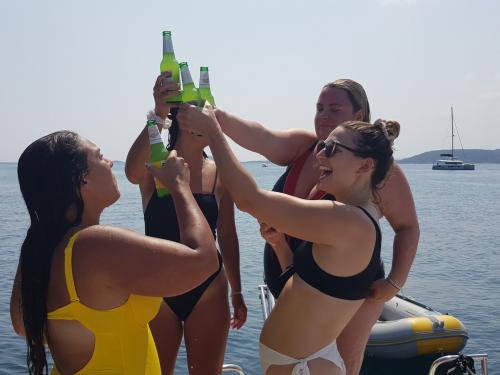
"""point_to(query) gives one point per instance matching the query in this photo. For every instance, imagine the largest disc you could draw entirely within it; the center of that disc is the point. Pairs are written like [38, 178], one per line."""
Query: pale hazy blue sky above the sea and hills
[90, 66]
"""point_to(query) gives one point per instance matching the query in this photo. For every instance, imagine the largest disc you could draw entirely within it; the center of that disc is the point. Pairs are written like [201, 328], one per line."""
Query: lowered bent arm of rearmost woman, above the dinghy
[396, 204]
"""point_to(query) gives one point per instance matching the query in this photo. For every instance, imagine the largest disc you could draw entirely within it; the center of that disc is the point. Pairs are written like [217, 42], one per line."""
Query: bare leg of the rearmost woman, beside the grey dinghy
[352, 341]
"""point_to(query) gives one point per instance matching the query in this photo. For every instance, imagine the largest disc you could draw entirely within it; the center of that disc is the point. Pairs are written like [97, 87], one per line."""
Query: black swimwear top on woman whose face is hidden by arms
[160, 218]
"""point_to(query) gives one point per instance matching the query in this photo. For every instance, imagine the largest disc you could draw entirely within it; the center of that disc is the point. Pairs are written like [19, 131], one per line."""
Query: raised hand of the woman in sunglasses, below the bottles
[200, 121]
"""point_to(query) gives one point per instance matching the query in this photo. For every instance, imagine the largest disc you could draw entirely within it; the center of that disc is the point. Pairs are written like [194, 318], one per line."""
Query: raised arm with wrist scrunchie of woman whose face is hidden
[139, 152]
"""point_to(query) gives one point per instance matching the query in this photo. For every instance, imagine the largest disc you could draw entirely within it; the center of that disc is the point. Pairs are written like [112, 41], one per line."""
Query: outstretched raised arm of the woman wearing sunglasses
[327, 222]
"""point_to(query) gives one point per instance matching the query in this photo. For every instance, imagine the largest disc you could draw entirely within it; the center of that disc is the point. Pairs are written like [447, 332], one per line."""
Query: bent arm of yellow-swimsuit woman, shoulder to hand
[150, 266]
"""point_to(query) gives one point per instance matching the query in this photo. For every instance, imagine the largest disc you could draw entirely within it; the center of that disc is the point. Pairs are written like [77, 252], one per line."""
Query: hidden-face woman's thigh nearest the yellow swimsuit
[167, 333]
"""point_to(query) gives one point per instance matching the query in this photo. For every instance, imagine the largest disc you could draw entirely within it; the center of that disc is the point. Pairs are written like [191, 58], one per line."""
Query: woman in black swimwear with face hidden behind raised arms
[187, 314]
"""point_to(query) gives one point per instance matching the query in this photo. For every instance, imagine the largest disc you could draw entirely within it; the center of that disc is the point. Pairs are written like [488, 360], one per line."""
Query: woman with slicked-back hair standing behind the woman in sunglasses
[339, 101]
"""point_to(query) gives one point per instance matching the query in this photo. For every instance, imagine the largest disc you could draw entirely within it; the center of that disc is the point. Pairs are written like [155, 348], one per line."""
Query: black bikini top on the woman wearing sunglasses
[349, 288]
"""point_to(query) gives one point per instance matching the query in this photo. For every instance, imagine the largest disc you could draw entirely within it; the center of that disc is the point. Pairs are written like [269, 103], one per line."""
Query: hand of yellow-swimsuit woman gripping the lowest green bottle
[173, 173]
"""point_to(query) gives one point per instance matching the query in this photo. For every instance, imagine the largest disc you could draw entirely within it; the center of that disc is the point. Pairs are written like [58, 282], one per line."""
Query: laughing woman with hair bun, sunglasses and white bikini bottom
[338, 259]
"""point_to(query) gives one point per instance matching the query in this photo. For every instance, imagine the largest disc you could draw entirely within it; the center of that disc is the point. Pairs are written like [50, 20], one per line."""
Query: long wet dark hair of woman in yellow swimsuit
[51, 171]
